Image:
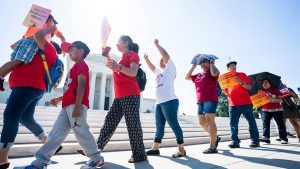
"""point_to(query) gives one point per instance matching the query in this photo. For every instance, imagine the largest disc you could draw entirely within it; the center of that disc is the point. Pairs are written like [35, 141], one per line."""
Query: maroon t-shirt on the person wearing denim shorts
[206, 87]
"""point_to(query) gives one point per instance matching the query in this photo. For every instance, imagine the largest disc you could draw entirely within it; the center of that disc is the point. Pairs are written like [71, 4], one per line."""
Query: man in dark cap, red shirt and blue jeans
[240, 103]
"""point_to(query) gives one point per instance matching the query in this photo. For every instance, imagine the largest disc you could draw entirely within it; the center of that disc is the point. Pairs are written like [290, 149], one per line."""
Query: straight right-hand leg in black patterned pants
[130, 107]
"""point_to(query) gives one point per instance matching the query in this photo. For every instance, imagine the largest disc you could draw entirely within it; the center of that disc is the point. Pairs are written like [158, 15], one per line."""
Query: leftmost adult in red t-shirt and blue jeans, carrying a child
[28, 84]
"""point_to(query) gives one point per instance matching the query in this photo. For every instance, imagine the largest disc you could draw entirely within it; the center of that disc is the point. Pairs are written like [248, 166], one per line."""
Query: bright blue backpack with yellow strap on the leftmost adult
[54, 75]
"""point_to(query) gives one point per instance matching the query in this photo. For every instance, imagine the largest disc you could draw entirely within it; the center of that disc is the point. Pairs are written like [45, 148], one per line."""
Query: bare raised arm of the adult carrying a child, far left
[39, 36]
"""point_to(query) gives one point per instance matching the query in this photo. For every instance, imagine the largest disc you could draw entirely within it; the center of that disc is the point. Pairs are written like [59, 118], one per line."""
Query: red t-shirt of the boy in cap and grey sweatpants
[71, 84]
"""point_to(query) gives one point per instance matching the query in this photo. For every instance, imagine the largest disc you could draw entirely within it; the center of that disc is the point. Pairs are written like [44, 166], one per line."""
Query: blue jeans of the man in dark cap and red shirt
[235, 113]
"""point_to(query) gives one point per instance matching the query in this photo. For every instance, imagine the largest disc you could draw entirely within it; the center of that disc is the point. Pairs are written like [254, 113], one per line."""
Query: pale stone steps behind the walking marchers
[26, 143]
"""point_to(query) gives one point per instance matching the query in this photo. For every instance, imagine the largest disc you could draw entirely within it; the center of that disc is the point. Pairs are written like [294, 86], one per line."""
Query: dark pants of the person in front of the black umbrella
[278, 117]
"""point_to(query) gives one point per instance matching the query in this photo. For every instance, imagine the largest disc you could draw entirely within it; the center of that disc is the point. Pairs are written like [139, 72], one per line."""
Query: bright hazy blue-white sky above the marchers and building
[259, 35]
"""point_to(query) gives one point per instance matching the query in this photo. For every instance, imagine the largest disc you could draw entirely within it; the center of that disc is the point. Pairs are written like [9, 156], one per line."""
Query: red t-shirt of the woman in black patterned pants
[125, 85]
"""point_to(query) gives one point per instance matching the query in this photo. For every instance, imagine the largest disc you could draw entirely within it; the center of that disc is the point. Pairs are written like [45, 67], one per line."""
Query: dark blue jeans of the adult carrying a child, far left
[20, 109]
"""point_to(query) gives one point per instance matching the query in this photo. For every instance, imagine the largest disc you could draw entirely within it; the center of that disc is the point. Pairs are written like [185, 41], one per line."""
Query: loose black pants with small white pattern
[129, 107]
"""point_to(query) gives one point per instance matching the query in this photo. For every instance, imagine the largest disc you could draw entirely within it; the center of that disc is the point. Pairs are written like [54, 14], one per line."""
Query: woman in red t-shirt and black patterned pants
[127, 100]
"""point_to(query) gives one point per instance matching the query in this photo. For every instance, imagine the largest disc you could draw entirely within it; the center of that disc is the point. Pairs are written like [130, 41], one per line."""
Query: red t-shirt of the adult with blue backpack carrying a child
[32, 74]
